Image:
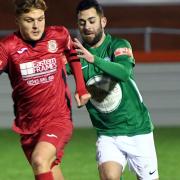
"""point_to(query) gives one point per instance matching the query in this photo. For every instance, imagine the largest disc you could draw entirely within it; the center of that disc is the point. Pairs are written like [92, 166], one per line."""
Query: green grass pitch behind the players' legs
[79, 161]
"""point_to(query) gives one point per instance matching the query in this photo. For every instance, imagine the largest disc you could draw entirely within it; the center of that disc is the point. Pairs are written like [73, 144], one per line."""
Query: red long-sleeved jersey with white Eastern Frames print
[38, 78]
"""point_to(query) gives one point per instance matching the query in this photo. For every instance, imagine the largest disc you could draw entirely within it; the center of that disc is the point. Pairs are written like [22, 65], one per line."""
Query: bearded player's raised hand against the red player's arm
[83, 52]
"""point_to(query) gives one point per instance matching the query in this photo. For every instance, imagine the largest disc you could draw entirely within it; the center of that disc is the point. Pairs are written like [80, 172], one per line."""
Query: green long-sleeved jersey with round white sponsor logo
[116, 106]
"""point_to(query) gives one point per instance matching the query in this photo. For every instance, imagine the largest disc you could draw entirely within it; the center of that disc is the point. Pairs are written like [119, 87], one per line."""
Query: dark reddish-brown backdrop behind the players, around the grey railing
[62, 12]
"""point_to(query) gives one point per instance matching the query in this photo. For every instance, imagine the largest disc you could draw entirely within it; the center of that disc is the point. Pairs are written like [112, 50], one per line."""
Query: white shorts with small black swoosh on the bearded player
[138, 151]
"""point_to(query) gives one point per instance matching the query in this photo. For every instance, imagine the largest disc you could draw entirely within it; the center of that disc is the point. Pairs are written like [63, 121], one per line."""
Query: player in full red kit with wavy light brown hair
[33, 57]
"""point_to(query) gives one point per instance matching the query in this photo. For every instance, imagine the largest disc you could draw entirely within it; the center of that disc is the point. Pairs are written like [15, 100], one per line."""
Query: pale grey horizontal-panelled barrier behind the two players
[158, 83]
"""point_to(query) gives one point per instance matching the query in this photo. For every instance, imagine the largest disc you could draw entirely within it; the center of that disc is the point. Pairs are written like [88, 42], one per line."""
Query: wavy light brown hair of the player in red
[24, 6]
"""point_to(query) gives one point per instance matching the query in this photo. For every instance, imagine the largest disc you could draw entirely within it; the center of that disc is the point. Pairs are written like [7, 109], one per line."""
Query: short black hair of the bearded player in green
[87, 4]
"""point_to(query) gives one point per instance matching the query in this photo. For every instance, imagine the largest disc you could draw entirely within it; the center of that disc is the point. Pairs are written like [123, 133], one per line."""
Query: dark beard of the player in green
[96, 39]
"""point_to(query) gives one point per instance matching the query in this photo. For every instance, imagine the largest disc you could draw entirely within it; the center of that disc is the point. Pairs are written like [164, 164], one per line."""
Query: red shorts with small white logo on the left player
[53, 134]
